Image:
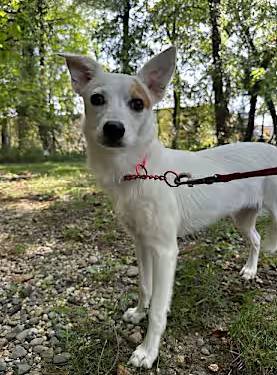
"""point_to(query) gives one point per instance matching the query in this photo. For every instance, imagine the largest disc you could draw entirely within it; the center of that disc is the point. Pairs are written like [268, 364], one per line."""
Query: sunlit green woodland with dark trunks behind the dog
[223, 89]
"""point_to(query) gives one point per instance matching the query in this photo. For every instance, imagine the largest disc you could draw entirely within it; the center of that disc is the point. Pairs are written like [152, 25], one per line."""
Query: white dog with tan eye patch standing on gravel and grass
[119, 127]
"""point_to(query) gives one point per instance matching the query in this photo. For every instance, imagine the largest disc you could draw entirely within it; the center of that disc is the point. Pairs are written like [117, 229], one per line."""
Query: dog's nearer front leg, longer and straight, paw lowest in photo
[164, 263]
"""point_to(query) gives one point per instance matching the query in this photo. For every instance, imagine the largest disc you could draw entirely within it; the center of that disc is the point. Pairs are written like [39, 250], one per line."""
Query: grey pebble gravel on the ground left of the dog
[42, 272]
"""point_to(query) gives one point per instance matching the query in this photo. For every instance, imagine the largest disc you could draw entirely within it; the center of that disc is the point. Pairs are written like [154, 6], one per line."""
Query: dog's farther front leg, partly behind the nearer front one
[145, 264]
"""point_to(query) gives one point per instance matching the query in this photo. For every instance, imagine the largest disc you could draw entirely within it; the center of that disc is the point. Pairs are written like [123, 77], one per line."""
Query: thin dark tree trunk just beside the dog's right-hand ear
[176, 110]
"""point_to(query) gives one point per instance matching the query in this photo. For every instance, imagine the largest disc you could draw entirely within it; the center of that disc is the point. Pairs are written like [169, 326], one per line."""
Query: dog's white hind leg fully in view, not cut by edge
[245, 220]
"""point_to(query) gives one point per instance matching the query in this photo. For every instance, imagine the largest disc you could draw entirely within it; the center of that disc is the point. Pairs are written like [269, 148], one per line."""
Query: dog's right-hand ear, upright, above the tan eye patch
[157, 72]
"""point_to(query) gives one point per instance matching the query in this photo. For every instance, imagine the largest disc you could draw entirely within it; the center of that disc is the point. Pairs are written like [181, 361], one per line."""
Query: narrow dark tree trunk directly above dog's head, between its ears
[125, 59]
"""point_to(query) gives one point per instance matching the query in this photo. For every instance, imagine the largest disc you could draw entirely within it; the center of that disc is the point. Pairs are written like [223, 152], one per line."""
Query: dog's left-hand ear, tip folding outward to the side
[82, 69]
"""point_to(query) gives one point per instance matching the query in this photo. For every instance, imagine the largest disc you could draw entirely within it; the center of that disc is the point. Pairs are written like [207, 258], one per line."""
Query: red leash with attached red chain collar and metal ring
[174, 179]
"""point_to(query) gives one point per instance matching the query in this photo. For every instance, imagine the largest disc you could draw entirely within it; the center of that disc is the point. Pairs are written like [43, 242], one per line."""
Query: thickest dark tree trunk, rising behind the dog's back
[221, 107]
